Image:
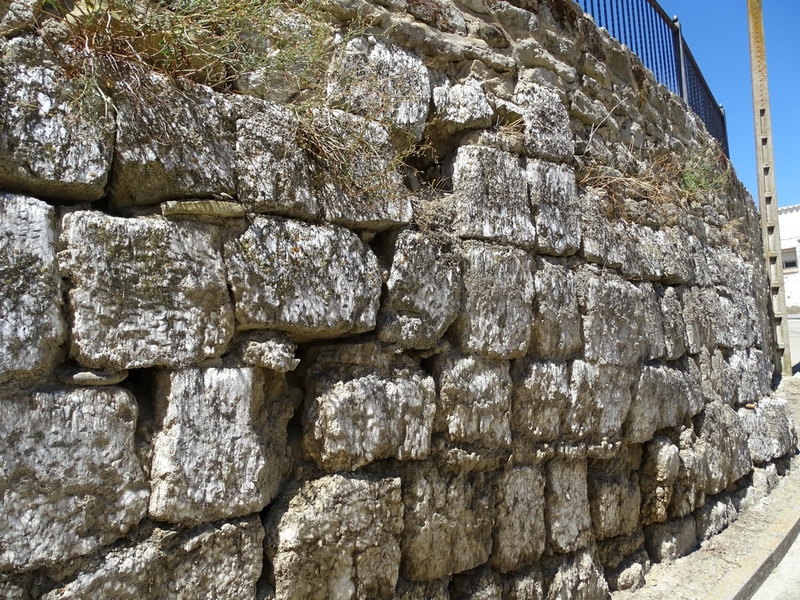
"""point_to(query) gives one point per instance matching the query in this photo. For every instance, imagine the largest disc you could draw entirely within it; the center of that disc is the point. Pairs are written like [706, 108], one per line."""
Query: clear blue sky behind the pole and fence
[716, 31]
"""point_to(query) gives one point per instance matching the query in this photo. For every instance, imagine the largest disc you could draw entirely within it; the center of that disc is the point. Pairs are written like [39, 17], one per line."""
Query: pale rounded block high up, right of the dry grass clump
[384, 81]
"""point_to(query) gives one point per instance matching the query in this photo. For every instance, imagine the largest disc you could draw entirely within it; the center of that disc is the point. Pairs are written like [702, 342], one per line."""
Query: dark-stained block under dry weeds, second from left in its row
[173, 141]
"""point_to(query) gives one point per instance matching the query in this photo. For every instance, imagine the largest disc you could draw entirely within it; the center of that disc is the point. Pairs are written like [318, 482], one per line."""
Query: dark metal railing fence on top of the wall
[646, 29]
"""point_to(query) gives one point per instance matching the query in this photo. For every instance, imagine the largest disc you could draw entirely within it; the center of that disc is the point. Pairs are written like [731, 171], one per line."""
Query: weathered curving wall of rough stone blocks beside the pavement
[224, 375]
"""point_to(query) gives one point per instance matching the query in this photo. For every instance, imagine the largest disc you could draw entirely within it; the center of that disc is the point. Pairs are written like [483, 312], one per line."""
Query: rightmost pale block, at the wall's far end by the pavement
[770, 432]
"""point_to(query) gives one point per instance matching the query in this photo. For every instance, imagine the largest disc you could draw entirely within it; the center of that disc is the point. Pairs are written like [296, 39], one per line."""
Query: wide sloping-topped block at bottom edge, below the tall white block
[222, 560]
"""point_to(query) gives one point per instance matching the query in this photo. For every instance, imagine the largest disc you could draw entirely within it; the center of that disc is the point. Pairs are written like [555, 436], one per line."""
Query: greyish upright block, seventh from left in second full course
[613, 322]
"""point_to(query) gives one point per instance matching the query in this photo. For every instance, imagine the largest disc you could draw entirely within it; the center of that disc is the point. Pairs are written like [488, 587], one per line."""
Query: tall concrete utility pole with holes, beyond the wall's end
[767, 196]
